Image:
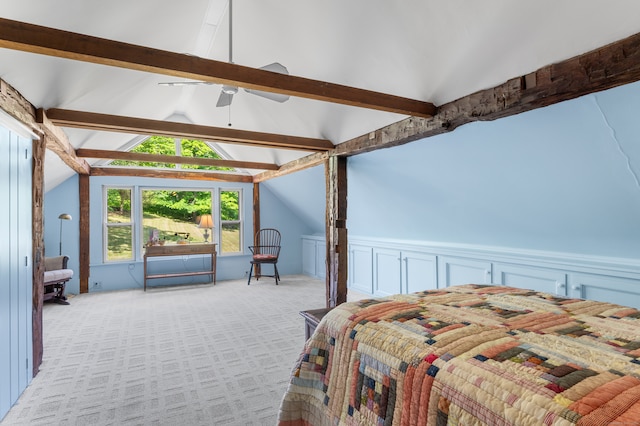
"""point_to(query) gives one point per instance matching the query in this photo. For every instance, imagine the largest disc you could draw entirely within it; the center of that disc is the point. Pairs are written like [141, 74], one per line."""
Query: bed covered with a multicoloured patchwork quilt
[466, 355]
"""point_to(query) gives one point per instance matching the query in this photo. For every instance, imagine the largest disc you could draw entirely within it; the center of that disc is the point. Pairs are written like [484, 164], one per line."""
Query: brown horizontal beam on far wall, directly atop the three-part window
[170, 174]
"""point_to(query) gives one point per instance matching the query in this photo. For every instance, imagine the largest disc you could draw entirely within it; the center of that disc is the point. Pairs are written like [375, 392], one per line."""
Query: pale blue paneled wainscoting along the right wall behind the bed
[382, 267]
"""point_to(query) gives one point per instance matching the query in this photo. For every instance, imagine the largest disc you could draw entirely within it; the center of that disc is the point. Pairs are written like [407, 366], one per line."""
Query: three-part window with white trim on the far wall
[170, 216]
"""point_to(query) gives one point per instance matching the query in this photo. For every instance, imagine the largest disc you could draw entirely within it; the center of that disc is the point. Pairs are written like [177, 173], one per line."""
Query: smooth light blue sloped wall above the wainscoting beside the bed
[561, 178]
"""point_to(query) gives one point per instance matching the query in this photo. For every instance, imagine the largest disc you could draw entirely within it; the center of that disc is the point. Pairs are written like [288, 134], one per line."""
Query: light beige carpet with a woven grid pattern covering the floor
[183, 355]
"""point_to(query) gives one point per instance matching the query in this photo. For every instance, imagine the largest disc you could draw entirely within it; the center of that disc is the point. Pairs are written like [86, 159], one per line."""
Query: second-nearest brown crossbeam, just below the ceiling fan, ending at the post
[143, 126]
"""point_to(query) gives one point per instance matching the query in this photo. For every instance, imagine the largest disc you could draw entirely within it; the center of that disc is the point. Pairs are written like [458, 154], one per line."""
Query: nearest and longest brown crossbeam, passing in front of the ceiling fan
[53, 42]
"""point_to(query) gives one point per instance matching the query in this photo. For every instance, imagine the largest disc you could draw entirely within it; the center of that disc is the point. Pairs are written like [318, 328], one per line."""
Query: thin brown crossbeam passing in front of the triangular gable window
[172, 159]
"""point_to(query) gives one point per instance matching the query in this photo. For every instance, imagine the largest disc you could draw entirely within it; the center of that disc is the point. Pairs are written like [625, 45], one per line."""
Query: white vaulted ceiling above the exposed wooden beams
[428, 50]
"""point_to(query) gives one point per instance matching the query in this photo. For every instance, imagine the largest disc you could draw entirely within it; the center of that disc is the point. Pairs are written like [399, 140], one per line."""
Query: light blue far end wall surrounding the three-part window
[123, 275]
